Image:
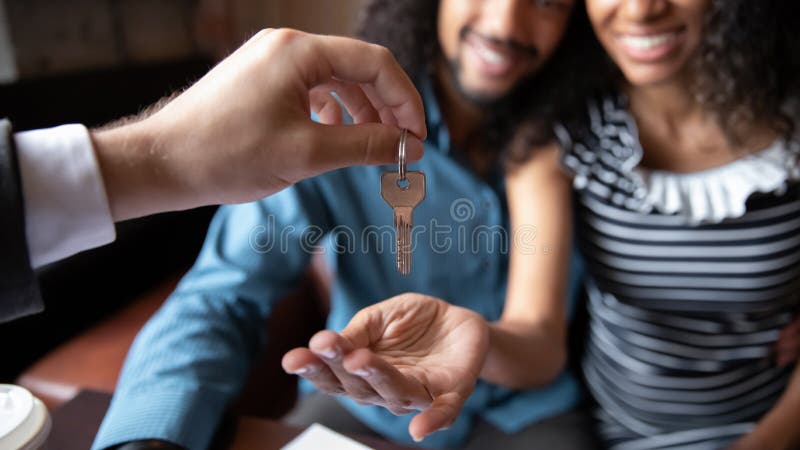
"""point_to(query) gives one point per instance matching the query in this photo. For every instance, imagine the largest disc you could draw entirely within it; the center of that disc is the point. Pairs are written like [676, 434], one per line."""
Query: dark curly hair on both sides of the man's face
[577, 69]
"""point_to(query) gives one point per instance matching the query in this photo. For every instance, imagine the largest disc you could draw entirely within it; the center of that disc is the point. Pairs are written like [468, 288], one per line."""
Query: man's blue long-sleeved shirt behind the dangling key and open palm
[192, 358]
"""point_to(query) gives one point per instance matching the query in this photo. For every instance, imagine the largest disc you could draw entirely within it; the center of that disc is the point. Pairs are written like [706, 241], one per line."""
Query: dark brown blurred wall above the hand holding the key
[51, 37]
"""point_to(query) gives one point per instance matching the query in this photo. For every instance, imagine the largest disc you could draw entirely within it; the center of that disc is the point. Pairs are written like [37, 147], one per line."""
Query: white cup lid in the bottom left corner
[24, 420]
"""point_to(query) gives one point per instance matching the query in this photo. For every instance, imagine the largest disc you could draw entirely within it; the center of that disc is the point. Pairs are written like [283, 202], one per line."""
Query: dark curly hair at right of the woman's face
[746, 69]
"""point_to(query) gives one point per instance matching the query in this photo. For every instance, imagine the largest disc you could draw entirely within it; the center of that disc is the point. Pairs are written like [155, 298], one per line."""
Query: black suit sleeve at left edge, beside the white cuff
[19, 290]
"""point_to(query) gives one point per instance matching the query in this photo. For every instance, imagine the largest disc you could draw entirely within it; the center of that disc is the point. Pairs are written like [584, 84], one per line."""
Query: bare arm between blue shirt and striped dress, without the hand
[528, 344]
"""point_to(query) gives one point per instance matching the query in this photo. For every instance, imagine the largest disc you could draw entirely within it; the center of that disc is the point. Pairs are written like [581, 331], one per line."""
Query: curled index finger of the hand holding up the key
[387, 85]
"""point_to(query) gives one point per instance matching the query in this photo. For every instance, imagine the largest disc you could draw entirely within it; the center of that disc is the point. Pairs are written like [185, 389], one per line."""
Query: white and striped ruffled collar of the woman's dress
[708, 196]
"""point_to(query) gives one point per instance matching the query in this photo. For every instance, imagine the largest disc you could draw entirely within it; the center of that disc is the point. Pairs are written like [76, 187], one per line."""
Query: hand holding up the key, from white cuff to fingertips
[244, 130]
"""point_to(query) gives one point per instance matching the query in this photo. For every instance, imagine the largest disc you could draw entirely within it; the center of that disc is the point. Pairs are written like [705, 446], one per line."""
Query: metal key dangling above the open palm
[403, 197]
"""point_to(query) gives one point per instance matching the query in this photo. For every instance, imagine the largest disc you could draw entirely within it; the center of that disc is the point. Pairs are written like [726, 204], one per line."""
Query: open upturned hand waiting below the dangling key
[409, 353]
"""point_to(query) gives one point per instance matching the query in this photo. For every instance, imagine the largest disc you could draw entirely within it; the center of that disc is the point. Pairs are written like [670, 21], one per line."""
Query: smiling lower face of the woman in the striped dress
[651, 41]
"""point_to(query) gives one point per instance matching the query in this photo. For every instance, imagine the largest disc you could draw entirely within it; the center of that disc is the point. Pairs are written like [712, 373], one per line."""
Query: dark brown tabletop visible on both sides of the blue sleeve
[76, 422]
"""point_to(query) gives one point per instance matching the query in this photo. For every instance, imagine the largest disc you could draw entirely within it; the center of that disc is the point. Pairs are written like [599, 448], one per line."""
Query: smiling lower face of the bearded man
[491, 45]
